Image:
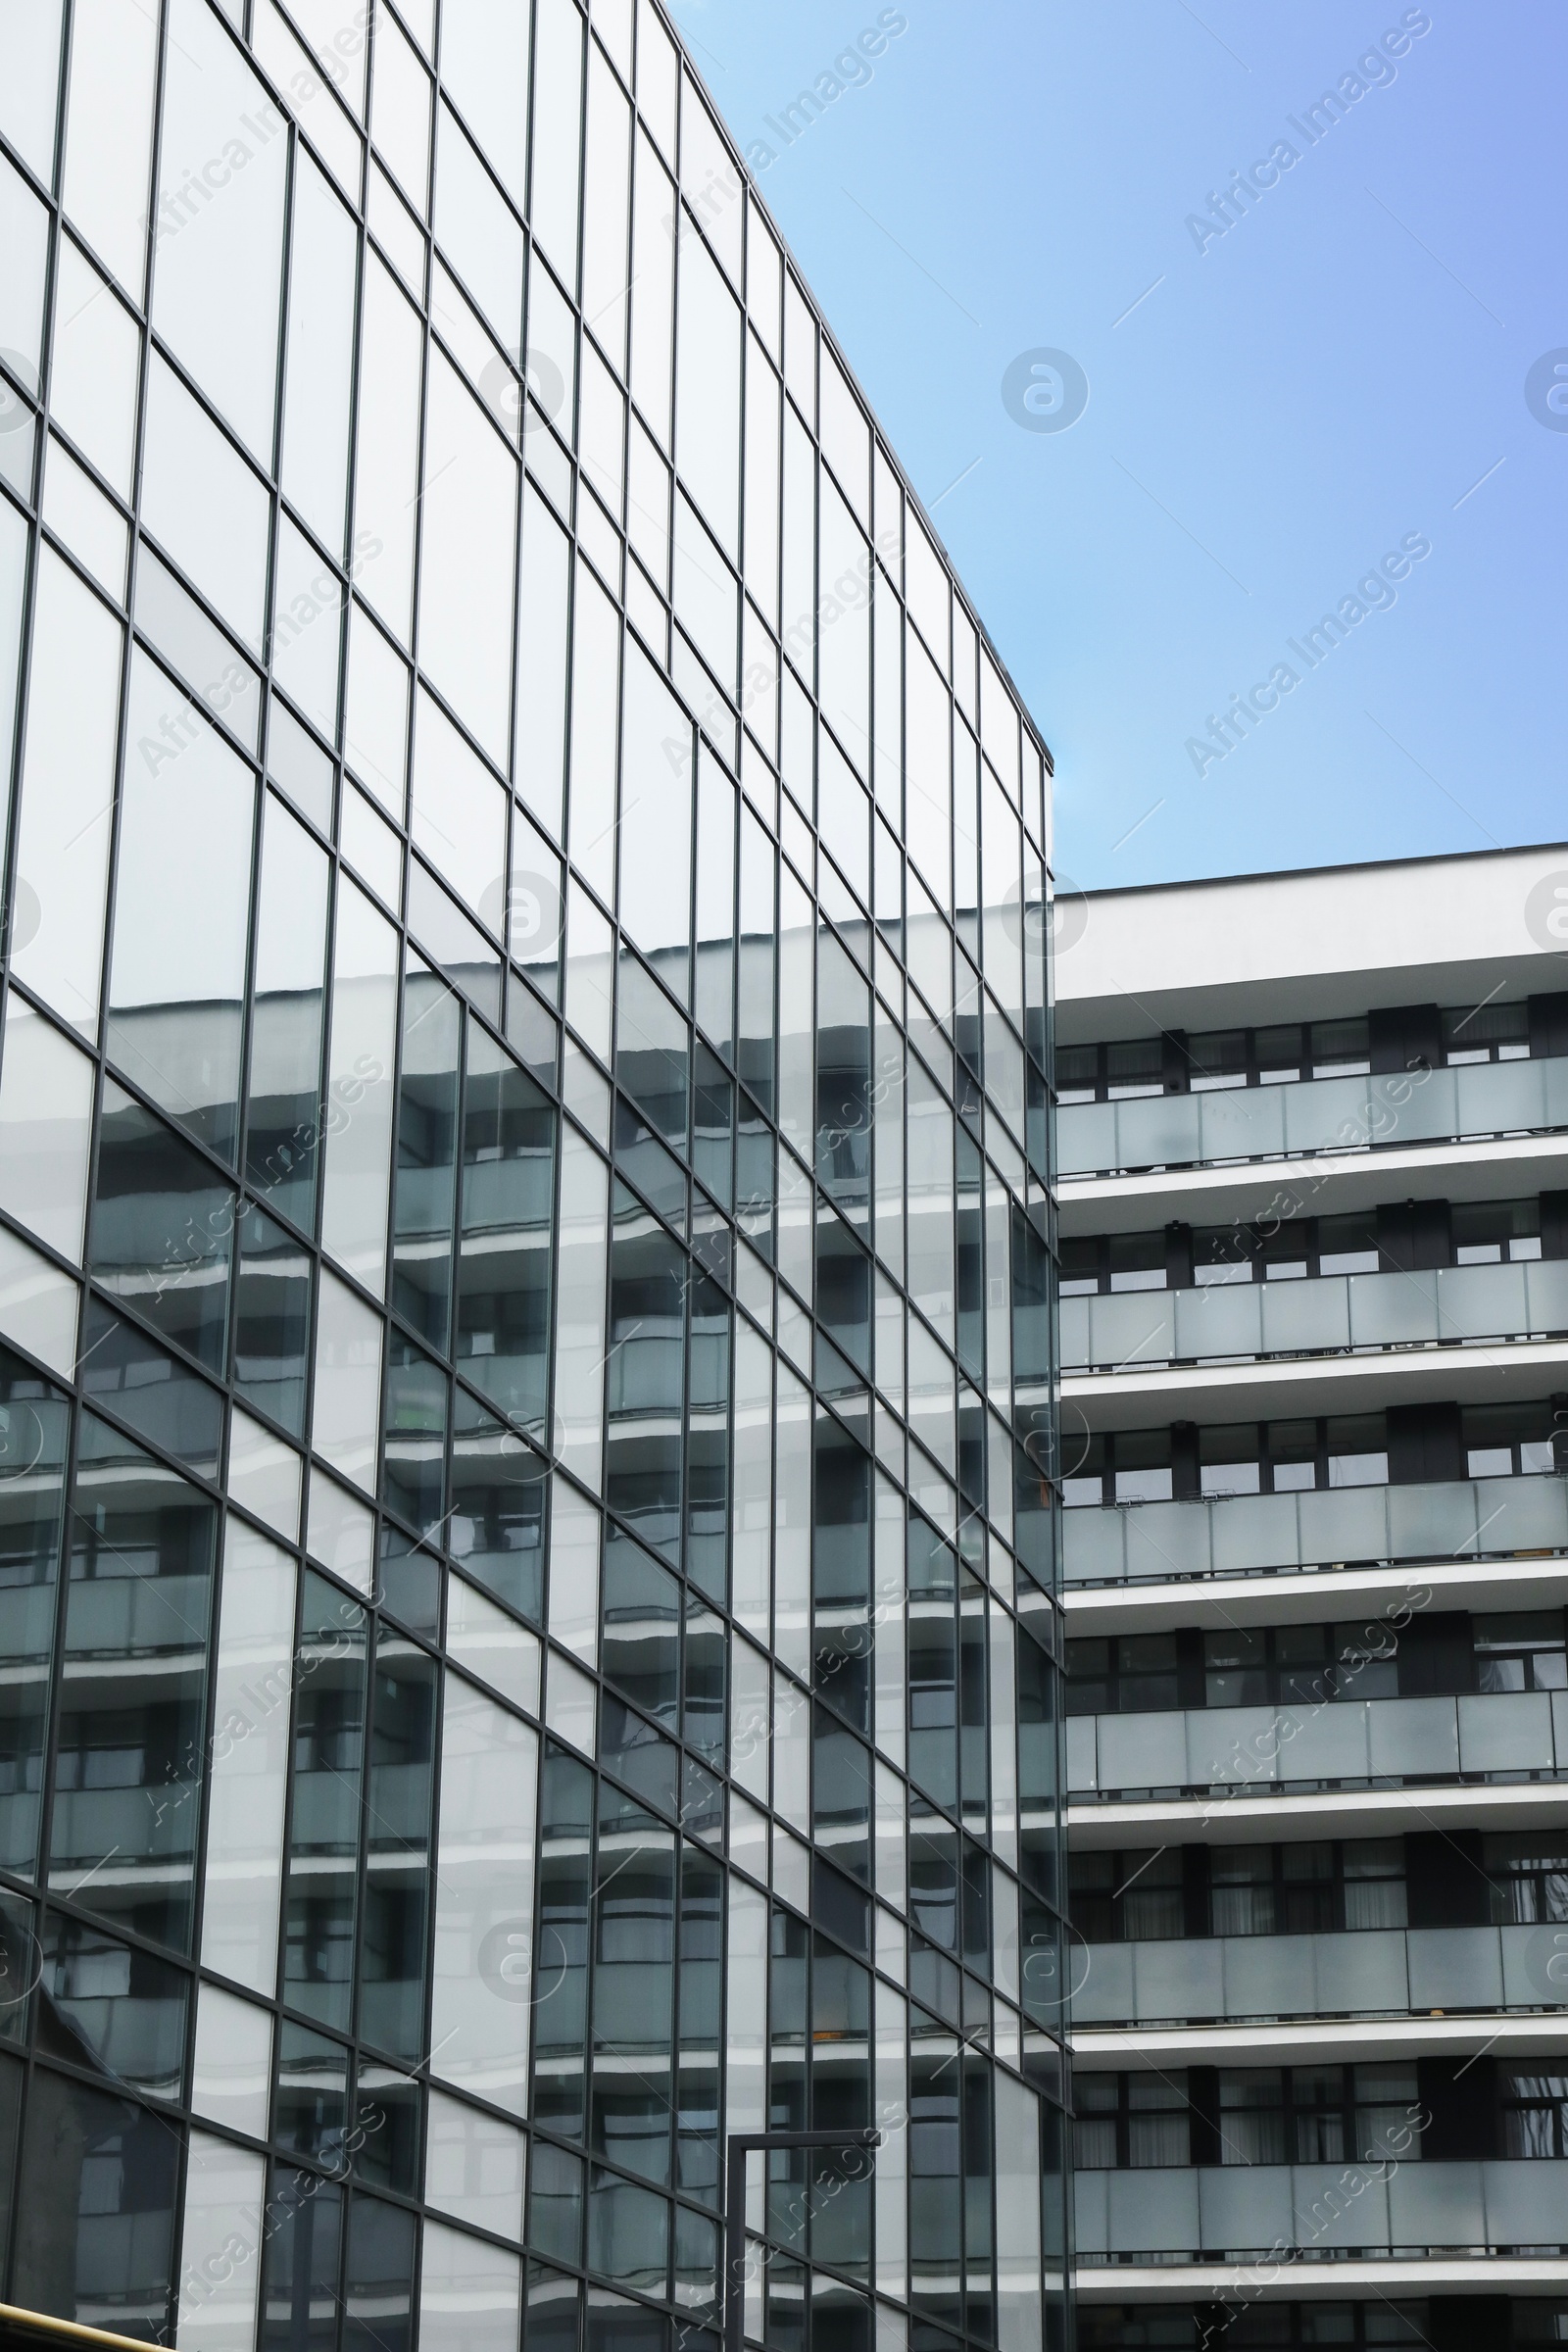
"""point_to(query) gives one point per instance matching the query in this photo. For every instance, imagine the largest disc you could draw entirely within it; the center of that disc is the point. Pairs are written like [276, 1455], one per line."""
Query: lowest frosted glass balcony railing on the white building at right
[1374, 2205]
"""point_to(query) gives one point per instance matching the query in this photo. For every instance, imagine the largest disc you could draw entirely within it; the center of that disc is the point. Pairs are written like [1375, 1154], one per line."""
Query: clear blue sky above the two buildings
[1268, 417]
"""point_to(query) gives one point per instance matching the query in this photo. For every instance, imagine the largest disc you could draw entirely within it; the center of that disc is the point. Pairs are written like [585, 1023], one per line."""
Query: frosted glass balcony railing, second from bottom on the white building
[1388, 1972]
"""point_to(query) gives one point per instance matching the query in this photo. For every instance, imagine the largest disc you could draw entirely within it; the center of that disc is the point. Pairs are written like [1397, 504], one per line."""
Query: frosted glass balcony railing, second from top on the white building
[1329, 1316]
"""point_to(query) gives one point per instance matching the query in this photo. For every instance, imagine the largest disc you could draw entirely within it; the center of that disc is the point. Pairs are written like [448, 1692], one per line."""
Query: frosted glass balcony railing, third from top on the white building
[1249, 1535]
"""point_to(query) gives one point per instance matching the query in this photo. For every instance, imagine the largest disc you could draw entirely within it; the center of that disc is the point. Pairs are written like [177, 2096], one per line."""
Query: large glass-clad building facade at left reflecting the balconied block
[528, 1591]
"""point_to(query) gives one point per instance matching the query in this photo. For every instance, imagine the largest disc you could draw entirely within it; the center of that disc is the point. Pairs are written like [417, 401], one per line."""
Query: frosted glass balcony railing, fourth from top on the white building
[1313, 1744]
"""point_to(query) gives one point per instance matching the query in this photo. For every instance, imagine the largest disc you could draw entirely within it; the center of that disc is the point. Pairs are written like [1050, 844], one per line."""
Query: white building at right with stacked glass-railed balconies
[1315, 1398]
